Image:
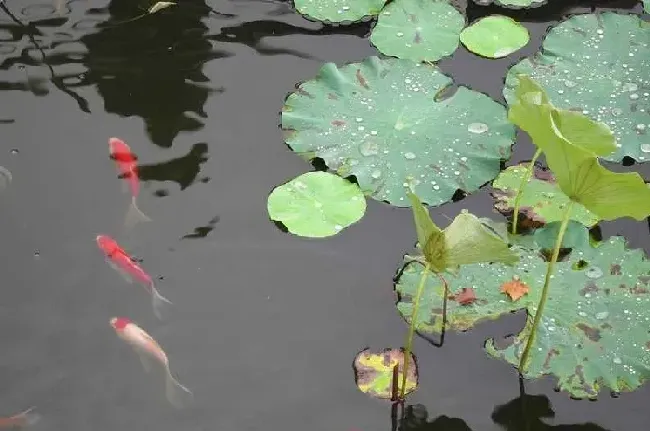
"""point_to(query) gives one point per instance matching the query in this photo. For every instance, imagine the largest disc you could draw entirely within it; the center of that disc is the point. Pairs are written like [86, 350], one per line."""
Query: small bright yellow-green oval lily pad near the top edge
[495, 36]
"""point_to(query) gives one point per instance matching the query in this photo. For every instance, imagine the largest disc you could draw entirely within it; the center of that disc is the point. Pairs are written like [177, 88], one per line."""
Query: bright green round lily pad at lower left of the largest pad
[316, 204]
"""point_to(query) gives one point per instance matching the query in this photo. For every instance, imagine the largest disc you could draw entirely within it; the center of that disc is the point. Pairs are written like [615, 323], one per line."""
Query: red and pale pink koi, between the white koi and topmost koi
[120, 261]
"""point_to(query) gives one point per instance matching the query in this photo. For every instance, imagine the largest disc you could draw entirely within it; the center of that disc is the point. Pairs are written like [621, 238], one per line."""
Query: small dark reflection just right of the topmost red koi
[182, 170]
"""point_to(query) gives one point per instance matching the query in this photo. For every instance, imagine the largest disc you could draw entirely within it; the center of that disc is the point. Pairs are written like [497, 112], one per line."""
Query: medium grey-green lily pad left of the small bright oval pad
[420, 30]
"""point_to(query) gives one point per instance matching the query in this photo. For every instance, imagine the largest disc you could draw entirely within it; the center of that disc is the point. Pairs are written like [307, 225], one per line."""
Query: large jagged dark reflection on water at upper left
[151, 67]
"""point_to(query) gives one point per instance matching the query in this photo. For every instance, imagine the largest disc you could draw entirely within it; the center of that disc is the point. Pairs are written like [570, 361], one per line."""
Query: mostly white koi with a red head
[148, 349]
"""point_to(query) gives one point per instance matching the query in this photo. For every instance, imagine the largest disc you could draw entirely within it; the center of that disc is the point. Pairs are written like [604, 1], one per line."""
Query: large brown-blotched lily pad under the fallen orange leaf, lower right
[594, 331]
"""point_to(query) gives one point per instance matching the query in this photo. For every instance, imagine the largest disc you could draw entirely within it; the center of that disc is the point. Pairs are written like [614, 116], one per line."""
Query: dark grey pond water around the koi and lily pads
[265, 325]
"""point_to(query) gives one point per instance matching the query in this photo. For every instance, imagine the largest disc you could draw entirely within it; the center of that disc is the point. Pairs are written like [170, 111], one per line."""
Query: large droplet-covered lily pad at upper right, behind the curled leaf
[598, 64]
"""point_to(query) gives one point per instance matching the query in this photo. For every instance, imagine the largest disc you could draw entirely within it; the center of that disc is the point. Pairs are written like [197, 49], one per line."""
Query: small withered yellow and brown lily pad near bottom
[374, 372]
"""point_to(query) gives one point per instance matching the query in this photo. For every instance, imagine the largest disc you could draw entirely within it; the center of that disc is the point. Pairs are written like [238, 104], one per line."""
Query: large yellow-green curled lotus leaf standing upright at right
[578, 172]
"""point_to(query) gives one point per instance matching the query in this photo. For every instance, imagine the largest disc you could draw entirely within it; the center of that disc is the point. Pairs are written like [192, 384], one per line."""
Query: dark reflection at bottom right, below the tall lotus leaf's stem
[526, 413]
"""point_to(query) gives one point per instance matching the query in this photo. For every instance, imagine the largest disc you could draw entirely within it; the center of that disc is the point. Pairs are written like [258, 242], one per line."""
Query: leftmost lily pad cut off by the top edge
[339, 10]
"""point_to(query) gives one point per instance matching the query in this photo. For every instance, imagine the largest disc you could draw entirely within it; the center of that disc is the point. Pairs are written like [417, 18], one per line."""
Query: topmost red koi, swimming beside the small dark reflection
[127, 166]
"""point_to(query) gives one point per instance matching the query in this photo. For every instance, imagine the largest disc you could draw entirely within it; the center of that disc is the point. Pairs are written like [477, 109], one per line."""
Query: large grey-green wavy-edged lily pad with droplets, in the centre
[385, 122]
